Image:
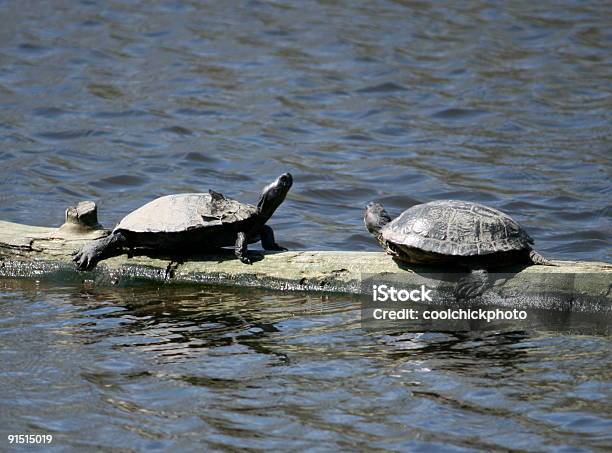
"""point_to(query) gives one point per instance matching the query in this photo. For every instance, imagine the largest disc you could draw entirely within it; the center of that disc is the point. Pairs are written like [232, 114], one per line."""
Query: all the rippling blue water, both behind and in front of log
[402, 102]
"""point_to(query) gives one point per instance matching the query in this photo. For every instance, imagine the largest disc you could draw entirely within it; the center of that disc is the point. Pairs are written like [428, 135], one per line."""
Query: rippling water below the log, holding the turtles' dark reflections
[187, 369]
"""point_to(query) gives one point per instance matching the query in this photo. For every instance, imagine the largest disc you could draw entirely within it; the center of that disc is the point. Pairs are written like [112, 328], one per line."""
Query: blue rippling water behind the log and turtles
[510, 106]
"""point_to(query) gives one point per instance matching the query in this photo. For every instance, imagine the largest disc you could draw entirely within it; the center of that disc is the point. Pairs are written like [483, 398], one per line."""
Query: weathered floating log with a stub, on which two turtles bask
[42, 253]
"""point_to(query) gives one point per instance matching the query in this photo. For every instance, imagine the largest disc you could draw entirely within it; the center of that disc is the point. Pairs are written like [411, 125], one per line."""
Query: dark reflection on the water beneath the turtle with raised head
[179, 321]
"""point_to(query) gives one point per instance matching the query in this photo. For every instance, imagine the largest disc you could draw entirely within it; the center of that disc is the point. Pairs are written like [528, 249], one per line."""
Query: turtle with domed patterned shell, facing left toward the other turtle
[456, 233]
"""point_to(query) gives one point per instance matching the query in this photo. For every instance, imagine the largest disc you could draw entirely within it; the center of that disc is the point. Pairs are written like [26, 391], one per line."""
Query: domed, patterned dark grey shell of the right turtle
[461, 228]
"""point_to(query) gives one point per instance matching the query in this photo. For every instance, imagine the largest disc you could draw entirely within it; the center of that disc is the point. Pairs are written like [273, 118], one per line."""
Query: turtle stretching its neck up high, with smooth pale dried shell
[190, 222]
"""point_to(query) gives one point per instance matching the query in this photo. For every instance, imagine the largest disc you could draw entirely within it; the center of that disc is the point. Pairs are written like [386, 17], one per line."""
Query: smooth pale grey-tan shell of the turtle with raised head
[184, 212]
